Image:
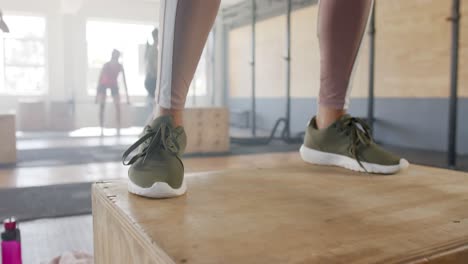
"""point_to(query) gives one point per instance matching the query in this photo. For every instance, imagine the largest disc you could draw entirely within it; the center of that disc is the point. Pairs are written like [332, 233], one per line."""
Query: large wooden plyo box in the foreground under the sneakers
[291, 214]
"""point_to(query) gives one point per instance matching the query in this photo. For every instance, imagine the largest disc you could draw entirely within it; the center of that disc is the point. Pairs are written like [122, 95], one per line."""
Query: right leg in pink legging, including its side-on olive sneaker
[333, 137]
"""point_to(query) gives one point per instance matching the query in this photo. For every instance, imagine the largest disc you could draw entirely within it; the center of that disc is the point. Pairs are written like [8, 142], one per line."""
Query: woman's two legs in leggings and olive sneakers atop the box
[332, 137]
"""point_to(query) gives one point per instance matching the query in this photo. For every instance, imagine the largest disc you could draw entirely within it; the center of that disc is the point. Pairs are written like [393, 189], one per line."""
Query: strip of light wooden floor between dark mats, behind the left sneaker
[92, 172]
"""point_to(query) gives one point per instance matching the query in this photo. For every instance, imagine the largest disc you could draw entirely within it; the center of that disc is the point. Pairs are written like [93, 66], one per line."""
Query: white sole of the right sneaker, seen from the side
[329, 159]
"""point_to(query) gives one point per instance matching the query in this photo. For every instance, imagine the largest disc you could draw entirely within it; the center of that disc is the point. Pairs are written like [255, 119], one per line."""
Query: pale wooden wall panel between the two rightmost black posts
[413, 48]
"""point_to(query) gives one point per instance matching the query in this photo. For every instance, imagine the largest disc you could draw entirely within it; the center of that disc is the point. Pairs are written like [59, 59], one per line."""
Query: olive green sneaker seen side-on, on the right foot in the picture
[348, 143]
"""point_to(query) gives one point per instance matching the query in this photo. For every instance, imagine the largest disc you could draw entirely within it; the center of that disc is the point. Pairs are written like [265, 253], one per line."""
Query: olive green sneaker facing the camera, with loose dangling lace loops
[157, 170]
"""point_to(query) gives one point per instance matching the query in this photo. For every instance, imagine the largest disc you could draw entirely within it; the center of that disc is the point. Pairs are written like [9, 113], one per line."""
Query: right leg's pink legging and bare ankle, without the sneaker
[341, 27]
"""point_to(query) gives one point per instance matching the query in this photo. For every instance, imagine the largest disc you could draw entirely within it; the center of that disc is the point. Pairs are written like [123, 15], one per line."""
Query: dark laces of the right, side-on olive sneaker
[360, 134]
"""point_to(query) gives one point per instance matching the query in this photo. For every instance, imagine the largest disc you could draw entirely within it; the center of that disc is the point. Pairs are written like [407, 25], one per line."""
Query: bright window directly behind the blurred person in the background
[130, 39]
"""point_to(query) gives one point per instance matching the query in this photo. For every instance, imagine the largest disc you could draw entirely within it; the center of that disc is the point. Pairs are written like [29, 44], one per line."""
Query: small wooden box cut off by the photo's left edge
[7, 139]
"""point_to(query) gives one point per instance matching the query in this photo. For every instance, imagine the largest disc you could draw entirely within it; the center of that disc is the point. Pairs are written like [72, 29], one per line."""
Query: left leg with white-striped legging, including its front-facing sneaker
[157, 170]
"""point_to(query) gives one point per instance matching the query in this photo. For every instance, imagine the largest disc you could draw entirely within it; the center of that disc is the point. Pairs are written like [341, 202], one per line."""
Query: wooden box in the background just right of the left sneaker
[207, 130]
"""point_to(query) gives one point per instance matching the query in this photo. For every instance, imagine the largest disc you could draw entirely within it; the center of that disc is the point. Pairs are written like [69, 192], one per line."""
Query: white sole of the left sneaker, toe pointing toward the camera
[159, 190]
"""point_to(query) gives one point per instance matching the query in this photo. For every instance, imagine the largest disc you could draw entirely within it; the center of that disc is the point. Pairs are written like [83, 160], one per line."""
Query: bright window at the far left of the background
[23, 71]
